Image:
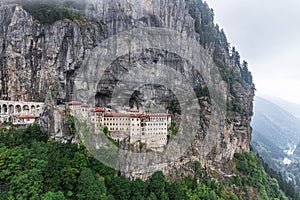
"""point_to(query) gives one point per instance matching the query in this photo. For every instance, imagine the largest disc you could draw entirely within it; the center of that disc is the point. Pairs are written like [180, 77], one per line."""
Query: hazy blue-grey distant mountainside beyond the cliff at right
[275, 137]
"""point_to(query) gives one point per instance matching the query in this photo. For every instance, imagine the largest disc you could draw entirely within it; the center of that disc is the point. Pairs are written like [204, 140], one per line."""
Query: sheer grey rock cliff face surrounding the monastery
[44, 62]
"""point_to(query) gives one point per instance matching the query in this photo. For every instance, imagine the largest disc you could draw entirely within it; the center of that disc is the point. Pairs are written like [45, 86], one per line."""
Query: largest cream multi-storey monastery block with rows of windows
[151, 129]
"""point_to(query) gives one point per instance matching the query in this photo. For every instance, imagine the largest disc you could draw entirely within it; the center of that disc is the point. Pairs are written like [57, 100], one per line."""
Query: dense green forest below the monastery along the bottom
[34, 167]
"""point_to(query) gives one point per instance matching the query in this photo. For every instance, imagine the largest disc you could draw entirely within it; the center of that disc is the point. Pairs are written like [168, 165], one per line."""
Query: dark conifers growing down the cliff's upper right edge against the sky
[227, 58]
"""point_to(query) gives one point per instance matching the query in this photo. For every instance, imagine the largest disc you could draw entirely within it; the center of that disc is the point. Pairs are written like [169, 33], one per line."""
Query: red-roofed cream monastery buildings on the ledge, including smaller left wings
[150, 129]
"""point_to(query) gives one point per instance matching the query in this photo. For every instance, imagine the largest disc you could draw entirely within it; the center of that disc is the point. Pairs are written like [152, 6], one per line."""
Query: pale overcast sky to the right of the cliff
[267, 35]
